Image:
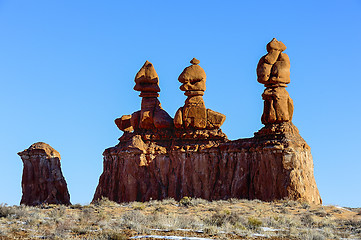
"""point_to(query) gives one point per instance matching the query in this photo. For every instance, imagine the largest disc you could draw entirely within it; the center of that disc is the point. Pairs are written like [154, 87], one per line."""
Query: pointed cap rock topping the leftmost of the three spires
[146, 79]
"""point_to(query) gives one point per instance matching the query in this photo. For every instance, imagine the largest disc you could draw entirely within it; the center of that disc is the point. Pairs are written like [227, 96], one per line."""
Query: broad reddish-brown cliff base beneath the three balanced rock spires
[275, 164]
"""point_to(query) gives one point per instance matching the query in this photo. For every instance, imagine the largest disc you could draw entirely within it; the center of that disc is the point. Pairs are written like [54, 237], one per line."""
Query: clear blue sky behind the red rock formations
[67, 71]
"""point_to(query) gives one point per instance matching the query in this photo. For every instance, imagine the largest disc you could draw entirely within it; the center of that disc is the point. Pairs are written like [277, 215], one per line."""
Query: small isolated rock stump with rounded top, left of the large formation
[42, 180]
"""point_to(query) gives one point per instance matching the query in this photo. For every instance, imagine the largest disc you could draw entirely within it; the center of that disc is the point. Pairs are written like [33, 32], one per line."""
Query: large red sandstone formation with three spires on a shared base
[191, 156]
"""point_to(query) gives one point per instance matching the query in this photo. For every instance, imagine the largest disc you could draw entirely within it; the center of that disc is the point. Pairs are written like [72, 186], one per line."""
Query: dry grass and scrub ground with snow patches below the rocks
[232, 219]
